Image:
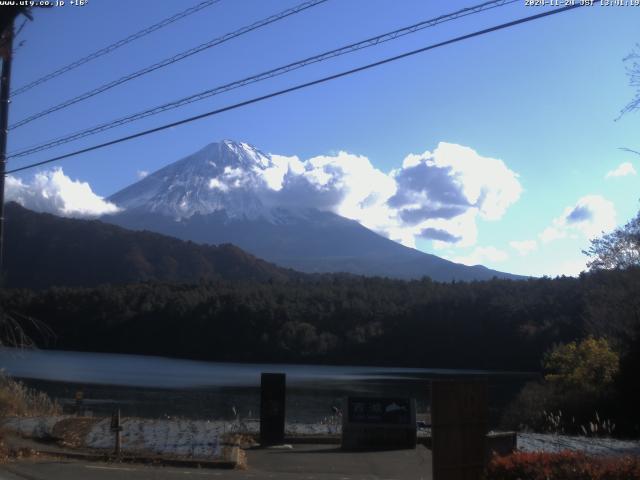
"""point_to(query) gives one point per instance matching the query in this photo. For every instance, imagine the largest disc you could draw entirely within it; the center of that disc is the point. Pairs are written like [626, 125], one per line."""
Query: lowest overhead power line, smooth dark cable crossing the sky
[300, 86]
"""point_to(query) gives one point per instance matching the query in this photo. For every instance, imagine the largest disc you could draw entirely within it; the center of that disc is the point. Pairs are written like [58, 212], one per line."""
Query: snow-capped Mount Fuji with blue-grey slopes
[218, 195]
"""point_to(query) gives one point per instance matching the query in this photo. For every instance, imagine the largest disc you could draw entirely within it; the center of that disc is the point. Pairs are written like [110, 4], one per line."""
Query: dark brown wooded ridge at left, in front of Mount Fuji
[42, 250]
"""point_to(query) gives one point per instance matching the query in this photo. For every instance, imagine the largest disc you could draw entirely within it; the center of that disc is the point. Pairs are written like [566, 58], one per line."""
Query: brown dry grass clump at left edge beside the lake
[16, 399]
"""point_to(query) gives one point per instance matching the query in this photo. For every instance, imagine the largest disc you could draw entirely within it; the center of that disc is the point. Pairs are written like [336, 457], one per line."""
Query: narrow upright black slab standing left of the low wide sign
[272, 408]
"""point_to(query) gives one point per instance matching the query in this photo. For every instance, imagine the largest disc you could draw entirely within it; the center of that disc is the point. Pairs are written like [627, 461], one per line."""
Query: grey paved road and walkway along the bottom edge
[304, 462]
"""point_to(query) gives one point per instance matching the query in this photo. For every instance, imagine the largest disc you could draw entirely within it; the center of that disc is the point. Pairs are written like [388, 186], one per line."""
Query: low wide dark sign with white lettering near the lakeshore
[374, 422]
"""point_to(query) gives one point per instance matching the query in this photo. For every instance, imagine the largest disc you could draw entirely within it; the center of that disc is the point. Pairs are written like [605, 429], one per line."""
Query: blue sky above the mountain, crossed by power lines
[539, 99]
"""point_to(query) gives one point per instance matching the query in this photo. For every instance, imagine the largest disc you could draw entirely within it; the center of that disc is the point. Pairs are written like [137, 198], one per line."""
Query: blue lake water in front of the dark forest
[155, 386]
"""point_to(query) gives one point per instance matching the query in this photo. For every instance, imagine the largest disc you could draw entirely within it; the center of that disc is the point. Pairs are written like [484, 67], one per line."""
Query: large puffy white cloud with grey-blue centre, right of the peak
[440, 195]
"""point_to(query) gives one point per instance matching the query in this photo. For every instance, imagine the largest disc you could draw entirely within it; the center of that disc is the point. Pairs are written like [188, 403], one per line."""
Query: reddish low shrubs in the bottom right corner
[562, 466]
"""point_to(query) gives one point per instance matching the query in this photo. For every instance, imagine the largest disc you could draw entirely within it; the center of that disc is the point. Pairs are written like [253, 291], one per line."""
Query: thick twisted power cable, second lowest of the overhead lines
[262, 76]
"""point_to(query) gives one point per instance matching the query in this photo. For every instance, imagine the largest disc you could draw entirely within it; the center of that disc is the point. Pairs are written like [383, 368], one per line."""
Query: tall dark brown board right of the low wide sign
[458, 429]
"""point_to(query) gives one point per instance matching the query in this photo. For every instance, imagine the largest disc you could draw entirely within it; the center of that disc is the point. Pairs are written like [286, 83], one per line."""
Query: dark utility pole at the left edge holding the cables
[6, 47]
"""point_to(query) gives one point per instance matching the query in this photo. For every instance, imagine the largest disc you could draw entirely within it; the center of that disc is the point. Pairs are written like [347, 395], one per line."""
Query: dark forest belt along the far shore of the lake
[495, 324]
